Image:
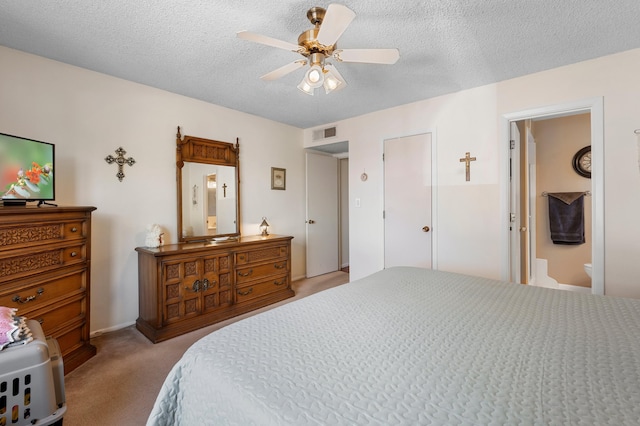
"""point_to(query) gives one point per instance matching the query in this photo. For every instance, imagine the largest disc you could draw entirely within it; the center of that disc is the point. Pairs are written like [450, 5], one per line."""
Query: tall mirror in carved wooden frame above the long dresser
[208, 182]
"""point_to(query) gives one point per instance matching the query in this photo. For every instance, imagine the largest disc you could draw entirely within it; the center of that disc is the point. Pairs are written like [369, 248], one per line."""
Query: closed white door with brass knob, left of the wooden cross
[407, 201]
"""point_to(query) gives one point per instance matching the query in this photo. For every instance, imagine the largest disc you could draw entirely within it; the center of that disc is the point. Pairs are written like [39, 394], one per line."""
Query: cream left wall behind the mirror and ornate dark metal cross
[89, 115]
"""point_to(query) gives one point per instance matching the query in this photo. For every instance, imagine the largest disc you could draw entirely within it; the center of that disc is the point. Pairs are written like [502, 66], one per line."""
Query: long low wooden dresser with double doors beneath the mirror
[183, 287]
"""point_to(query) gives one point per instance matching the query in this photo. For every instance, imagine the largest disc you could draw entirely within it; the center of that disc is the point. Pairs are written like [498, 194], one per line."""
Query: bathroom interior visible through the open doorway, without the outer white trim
[545, 149]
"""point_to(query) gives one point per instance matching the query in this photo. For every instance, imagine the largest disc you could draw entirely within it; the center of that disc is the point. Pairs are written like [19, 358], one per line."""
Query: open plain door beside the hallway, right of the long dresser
[322, 214]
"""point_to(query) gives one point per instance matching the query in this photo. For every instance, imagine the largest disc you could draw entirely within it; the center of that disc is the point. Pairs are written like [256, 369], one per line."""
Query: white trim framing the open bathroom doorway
[596, 107]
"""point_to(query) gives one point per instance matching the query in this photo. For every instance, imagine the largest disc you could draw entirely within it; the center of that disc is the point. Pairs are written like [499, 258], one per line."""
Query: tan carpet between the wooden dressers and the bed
[119, 385]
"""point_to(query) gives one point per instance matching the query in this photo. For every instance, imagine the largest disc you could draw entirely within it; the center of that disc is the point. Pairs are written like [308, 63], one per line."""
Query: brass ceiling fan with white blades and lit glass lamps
[318, 46]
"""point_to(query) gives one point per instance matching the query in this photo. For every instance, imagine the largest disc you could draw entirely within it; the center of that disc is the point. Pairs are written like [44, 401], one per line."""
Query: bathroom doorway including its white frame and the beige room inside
[542, 144]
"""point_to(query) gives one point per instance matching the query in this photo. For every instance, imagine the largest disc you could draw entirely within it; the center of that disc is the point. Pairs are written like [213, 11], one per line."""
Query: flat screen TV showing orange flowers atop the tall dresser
[26, 170]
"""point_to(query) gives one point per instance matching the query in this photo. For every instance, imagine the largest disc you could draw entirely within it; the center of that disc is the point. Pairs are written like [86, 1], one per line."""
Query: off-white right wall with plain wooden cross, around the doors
[472, 216]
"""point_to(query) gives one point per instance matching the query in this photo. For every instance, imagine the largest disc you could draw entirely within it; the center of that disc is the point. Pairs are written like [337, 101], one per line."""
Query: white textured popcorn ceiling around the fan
[190, 46]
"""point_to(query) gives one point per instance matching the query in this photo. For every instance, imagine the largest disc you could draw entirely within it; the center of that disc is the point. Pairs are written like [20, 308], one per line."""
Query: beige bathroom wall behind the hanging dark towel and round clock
[557, 141]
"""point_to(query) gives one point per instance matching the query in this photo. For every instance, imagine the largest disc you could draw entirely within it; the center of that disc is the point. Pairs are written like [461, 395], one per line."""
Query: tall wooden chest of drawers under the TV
[45, 265]
